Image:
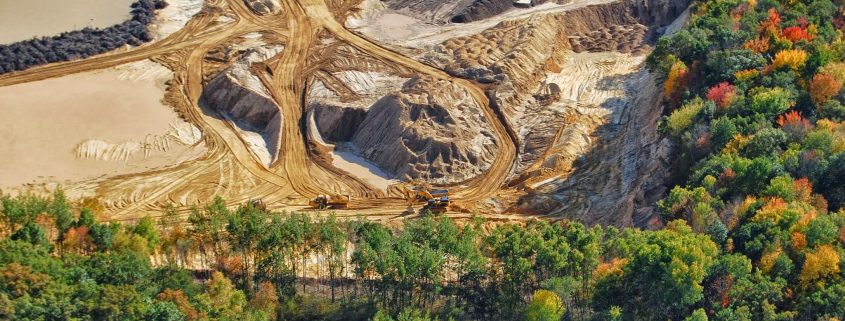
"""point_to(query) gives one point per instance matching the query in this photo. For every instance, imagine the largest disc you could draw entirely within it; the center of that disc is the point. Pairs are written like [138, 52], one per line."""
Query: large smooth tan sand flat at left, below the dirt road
[43, 123]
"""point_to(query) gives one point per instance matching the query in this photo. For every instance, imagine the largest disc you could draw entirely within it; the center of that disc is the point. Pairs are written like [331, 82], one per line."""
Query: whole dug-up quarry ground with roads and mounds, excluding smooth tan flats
[545, 111]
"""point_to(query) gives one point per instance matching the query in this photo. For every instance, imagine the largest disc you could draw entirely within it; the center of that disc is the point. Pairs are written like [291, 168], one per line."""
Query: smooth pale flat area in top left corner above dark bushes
[22, 20]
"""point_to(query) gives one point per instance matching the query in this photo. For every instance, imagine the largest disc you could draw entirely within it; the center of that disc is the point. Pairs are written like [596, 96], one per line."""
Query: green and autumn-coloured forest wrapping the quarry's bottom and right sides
[753, 229]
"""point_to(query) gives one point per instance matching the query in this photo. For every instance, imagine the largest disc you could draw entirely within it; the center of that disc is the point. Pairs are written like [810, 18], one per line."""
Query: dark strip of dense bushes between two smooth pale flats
[83, 43]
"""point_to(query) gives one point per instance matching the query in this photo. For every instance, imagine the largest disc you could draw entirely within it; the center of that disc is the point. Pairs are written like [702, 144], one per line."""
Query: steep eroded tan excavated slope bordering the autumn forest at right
[585, 120]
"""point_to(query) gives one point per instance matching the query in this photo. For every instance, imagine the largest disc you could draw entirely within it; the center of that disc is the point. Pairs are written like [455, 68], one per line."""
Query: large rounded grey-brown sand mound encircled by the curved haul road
[431, 130]
